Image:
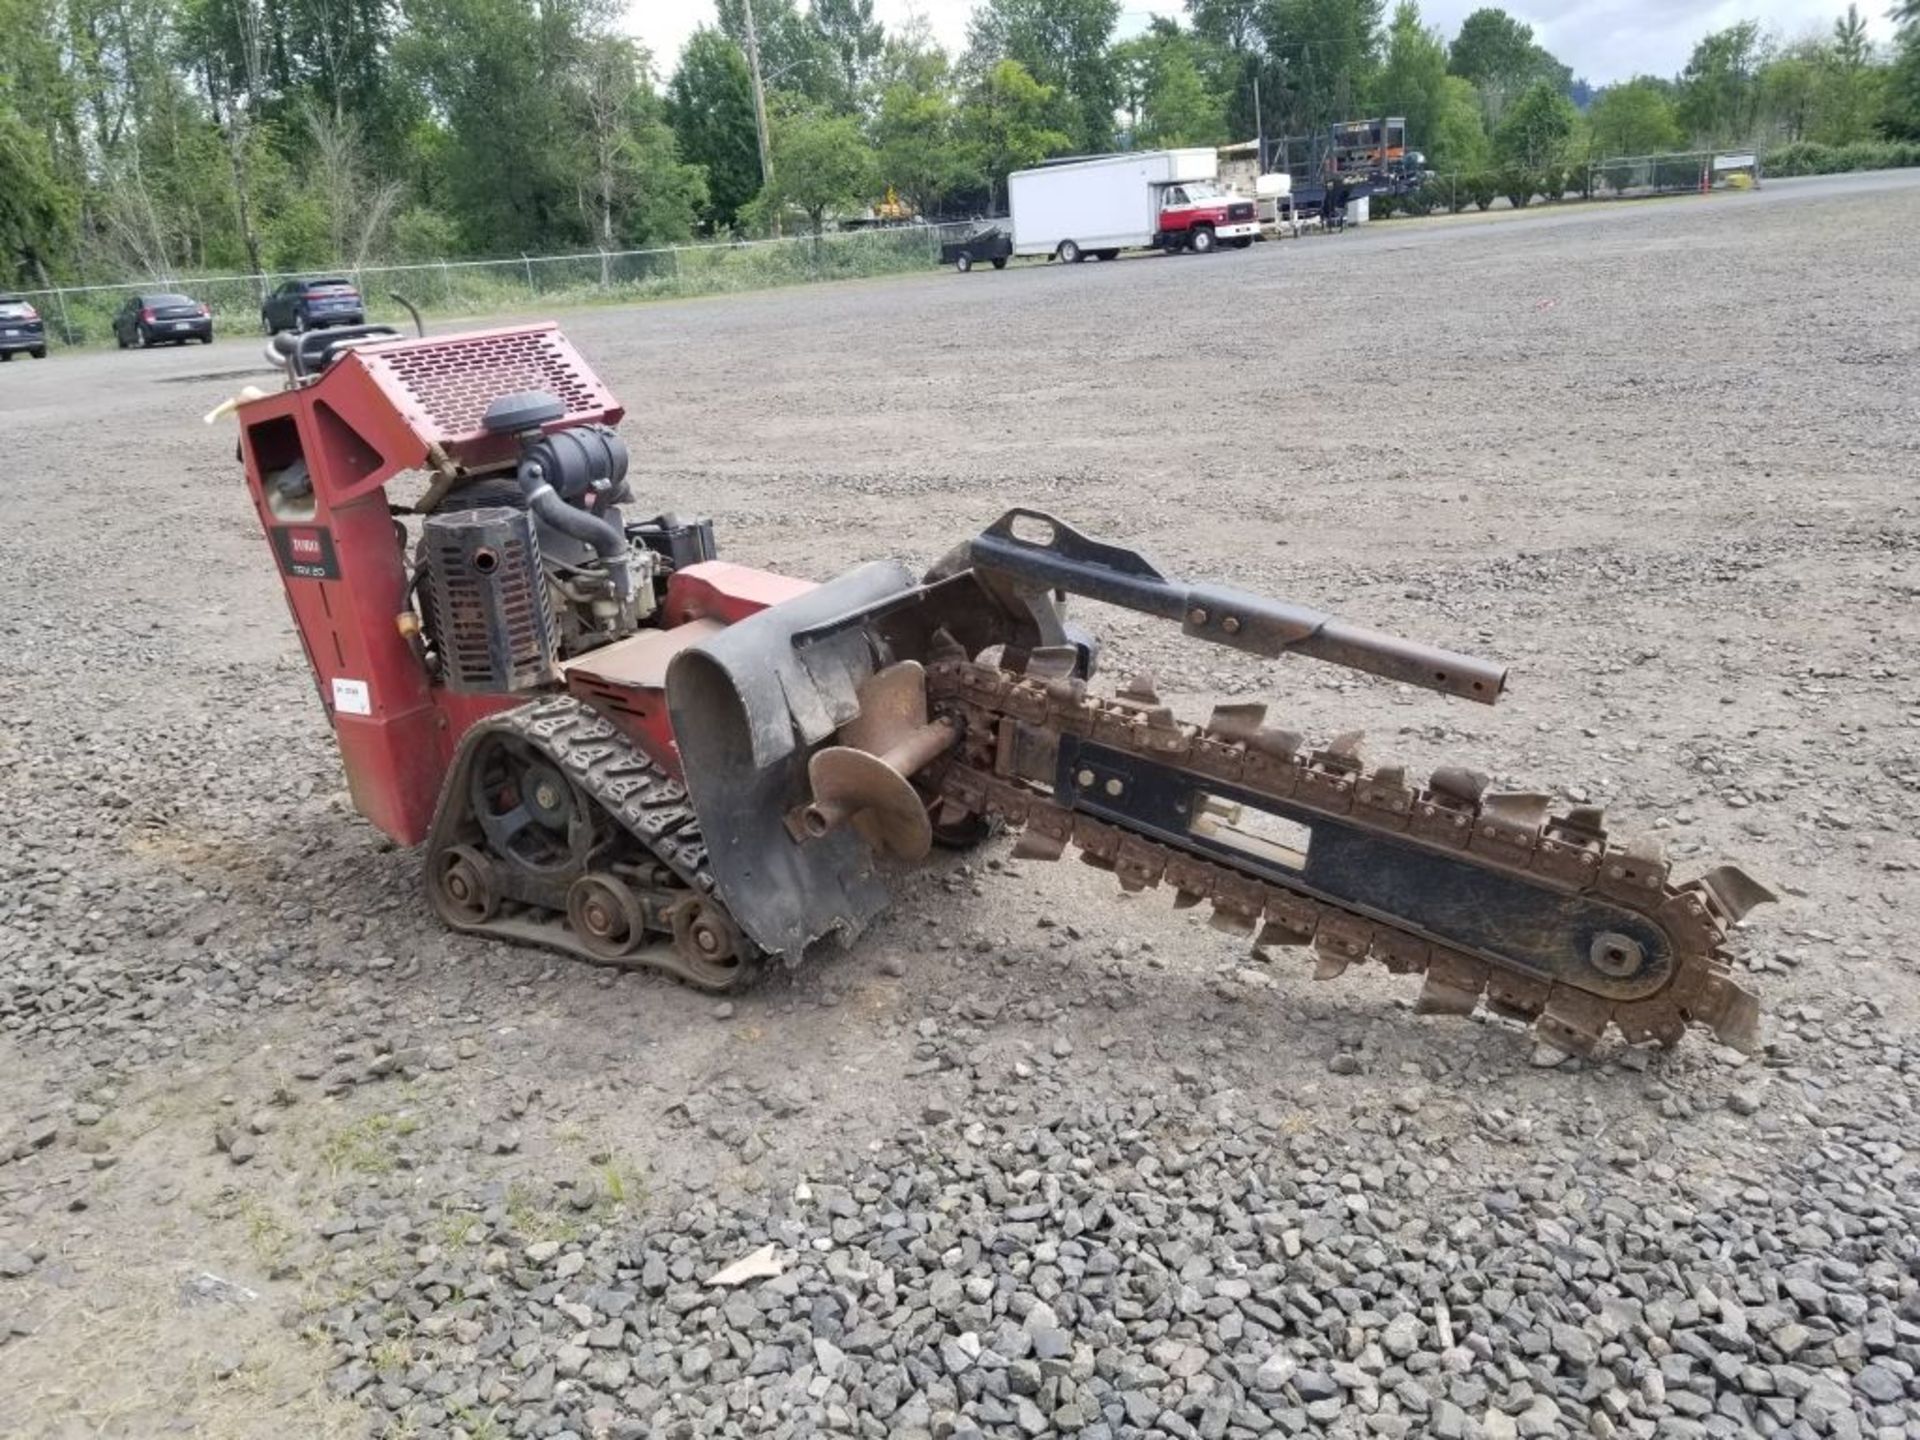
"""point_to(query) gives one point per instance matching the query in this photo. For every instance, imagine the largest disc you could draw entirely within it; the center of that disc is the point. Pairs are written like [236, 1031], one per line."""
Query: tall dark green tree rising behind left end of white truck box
[1065, 45]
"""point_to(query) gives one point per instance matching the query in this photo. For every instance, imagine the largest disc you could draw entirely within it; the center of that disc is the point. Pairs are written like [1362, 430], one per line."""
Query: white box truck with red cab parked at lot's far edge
[1145, 199]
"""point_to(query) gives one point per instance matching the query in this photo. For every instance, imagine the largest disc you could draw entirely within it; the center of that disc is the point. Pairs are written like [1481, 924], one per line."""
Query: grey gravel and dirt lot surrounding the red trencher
[279, 1157]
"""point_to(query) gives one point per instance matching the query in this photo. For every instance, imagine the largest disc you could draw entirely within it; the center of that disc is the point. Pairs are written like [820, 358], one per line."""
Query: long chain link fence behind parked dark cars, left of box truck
[84, 316]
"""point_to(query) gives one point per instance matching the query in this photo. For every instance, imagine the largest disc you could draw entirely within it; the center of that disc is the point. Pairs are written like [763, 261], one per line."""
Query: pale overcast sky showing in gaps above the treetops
[1602, 39]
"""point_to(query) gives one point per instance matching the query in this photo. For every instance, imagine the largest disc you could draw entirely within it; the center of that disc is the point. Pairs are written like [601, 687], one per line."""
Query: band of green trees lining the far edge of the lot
[206, 137]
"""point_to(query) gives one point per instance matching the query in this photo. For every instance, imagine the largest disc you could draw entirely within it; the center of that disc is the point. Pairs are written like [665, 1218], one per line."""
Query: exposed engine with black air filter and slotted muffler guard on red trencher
[517, 573]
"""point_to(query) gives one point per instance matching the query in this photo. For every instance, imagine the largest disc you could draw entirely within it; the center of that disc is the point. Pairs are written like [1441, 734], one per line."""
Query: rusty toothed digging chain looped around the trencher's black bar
[1512, 834]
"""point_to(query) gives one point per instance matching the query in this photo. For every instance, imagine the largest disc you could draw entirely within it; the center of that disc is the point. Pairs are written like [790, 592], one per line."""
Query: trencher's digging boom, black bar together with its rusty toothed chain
[1493, 898]
